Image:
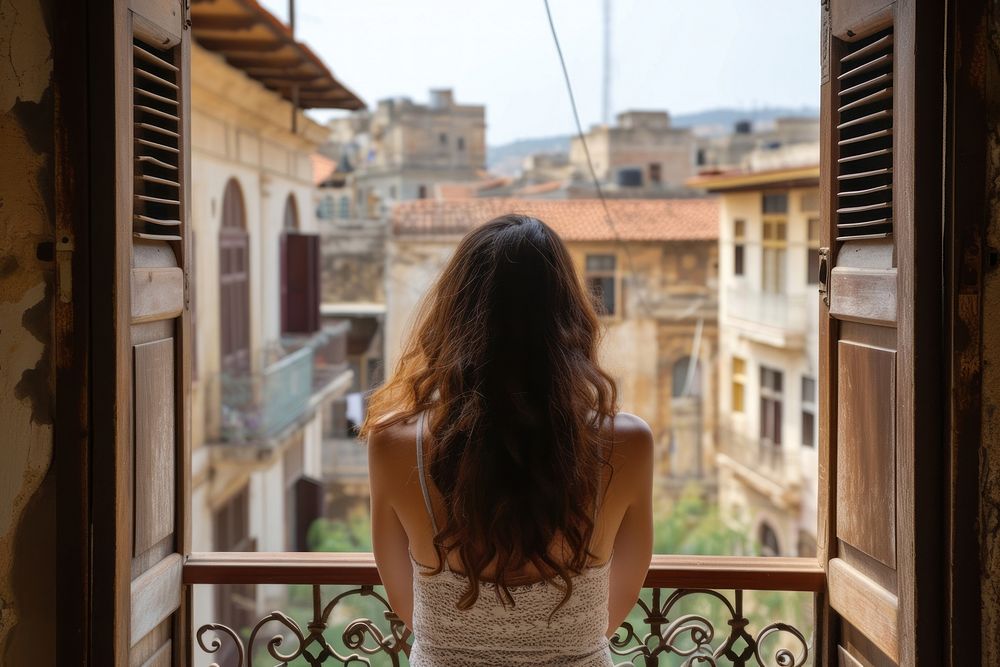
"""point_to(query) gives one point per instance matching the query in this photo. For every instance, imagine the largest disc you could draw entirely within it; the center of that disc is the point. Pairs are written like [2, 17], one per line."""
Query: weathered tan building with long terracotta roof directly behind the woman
[657, 289]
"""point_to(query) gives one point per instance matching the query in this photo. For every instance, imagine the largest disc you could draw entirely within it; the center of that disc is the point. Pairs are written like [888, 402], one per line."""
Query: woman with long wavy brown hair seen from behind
[511, 503]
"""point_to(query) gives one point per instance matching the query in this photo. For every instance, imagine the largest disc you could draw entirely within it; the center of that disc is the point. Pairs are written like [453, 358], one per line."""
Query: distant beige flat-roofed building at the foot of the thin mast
[642, 155]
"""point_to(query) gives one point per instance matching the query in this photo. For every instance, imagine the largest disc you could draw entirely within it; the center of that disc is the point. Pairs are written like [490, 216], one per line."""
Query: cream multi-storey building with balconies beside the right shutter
[768, 353]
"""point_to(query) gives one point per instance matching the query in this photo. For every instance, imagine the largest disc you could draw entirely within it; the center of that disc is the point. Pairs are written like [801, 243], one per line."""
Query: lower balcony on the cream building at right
[772, 470]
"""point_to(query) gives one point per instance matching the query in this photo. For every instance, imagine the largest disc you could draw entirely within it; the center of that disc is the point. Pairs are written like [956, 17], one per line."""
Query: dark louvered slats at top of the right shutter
[865, 139]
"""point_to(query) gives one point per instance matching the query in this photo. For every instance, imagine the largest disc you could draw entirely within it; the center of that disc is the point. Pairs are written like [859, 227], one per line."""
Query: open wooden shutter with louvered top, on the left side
[139, 145]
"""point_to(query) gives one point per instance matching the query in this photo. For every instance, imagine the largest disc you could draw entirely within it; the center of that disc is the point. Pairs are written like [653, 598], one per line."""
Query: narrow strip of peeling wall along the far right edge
[989, 509]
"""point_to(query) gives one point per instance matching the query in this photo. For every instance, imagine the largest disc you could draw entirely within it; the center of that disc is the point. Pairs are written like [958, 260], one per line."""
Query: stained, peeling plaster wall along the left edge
[27, 487]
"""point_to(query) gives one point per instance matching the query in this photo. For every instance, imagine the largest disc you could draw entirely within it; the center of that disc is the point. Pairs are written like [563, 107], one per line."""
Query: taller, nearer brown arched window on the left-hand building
[234, 278]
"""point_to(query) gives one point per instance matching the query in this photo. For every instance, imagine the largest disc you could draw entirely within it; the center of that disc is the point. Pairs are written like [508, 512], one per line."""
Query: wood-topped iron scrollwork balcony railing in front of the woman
[712, 610]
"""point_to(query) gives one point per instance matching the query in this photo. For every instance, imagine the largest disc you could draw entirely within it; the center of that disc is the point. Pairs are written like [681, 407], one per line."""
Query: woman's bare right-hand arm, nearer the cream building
[634, 541]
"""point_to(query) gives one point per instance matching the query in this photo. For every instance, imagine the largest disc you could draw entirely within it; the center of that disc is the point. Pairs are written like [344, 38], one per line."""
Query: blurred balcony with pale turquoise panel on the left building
[261, 408]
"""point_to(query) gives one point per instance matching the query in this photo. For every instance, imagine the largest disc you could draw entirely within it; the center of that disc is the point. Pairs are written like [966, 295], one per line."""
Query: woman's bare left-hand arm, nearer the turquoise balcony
[389, 540]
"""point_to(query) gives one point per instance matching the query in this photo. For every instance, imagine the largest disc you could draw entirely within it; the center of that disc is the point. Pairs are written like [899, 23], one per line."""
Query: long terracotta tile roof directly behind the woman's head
[573, 219]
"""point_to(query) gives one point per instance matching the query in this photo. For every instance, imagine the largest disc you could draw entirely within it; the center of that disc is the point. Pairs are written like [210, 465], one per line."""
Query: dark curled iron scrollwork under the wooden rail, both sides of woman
[690, 636]
